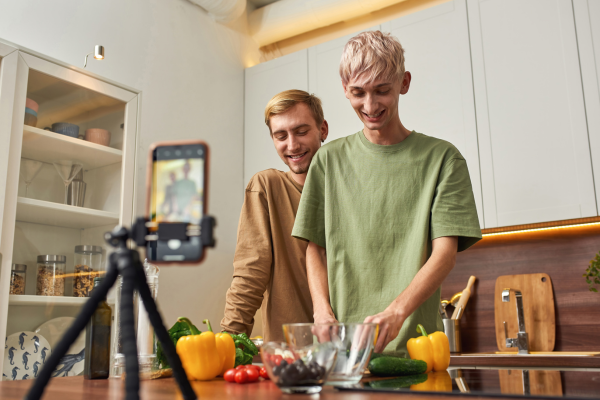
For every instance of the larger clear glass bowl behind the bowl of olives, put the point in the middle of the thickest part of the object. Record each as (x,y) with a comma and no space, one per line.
(354,343)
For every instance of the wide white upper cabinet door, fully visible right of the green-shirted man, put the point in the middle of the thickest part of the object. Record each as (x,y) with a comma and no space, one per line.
(533,141)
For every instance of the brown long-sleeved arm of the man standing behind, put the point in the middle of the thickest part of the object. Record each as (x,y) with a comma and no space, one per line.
(251,265)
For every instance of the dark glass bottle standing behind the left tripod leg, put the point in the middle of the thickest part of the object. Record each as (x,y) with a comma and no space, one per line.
(97,341)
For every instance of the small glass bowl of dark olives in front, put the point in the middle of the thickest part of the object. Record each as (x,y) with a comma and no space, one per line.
(299,370)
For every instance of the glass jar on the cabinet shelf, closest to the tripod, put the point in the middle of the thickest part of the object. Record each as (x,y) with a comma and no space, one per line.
(88,265)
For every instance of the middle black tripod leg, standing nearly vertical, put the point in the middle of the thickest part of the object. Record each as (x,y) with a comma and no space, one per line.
(132,369)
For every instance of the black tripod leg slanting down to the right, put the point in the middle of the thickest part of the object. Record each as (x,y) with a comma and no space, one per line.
(163,336)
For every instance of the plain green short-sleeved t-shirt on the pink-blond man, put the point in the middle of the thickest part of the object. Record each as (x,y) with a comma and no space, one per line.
(376,209)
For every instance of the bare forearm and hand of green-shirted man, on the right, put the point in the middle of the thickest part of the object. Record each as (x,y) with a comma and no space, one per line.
(423,285)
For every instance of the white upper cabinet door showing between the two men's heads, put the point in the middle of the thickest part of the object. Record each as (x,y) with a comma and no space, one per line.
(324,81)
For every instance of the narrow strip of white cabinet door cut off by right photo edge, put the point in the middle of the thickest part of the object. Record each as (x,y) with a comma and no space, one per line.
(587,21)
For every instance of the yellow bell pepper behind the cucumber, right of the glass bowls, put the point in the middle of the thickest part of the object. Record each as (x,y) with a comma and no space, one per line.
(433,349)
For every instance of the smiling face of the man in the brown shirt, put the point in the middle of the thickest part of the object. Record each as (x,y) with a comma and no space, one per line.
(297,137)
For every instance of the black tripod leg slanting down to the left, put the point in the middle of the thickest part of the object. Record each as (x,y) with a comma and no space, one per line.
(98,294)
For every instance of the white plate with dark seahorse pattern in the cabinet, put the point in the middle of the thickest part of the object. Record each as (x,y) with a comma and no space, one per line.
(24,355)
